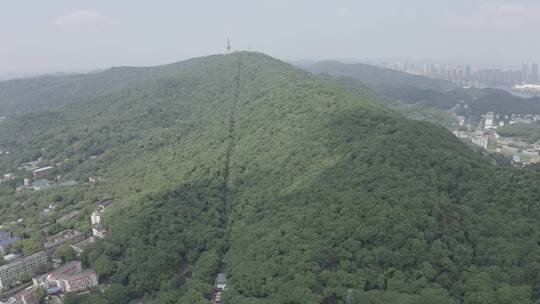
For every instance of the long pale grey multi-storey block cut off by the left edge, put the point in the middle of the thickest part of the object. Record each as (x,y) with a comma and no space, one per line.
(30,265)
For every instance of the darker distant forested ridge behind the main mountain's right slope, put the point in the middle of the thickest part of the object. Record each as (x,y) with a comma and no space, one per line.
(414,89)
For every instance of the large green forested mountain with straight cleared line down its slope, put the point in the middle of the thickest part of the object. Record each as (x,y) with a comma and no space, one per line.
(300,190)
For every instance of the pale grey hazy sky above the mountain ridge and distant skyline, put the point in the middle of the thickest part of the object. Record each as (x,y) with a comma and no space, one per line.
(67,35)
